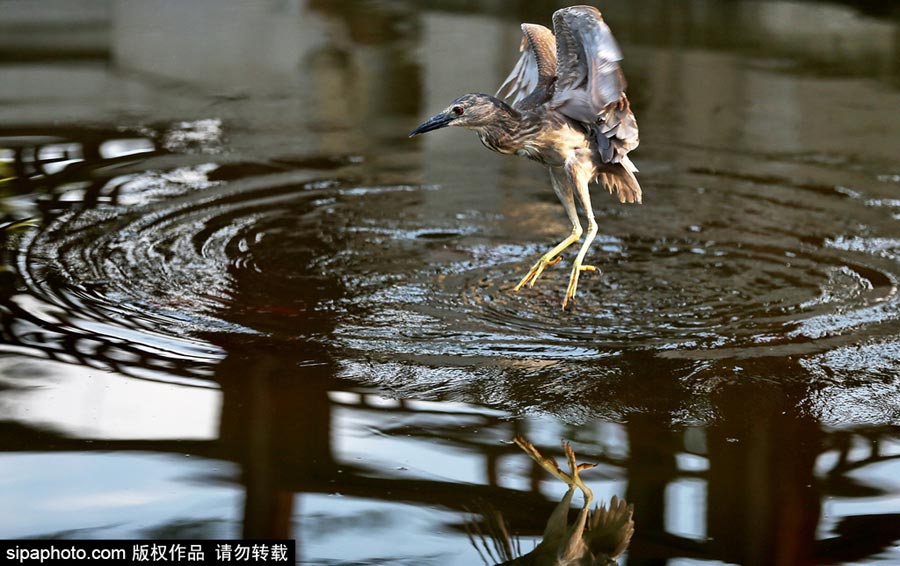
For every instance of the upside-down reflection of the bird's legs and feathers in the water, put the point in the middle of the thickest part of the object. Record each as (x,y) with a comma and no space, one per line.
(595,538)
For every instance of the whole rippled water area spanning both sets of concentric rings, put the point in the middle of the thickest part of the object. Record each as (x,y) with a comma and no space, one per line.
(765,267)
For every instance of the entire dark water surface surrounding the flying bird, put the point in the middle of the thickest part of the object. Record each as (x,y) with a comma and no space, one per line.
(243,303)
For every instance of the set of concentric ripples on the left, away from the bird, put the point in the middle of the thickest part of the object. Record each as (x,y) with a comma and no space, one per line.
(209,260)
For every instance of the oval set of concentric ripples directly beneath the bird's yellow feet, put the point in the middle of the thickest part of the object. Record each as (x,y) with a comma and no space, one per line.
(693,295)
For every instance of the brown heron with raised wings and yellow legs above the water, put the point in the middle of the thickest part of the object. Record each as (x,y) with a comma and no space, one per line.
(569,112)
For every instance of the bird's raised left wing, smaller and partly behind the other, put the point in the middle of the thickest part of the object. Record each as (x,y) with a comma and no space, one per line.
(536,69)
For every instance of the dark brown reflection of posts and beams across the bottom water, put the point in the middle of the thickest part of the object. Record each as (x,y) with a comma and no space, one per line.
(762,505)
